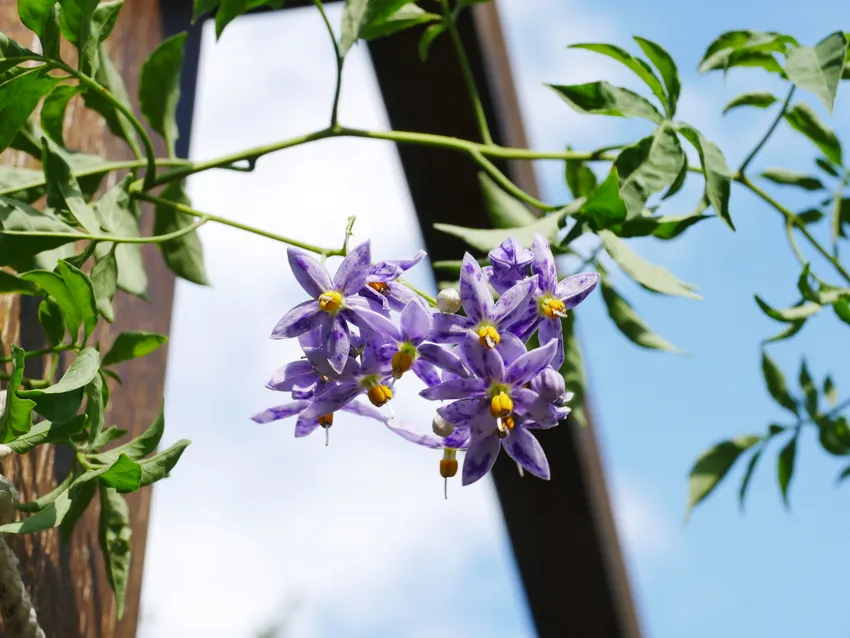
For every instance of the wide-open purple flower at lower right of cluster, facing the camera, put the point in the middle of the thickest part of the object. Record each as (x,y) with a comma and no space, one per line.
(489,406)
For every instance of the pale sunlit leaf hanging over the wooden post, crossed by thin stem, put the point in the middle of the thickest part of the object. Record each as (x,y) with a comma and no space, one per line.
(116,213)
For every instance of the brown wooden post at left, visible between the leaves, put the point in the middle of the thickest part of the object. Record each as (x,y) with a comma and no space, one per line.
(67,582)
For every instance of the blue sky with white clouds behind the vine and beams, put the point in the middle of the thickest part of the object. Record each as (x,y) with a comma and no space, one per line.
(357,534)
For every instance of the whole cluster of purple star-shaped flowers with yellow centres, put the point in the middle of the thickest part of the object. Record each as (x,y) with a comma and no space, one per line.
(494,386)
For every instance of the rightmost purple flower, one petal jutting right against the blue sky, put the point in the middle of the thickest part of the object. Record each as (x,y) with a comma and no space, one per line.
(552,299)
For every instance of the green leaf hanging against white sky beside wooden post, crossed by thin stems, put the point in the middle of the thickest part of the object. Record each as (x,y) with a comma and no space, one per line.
(184,255)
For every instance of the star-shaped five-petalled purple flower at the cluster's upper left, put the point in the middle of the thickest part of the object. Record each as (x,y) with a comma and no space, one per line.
(335,304)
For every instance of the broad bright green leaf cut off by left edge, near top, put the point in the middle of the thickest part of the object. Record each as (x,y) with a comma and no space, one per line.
(20,92)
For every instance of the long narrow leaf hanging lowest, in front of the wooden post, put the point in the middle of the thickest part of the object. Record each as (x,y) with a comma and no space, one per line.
(114,536)
